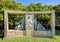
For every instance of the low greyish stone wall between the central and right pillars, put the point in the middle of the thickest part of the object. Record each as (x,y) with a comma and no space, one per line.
(42,33)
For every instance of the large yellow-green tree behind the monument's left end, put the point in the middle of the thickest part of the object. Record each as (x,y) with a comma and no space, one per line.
(9,5)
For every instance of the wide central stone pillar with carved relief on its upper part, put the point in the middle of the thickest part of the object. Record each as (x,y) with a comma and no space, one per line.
(29,22)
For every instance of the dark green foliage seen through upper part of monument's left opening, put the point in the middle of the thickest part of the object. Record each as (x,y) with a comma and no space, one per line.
(15,18)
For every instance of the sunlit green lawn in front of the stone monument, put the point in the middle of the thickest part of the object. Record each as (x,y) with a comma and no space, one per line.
(31,39)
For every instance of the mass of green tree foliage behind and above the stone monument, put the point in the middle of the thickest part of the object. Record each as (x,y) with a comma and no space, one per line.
(12,5)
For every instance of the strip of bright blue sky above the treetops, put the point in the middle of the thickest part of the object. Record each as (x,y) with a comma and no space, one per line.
(44,2)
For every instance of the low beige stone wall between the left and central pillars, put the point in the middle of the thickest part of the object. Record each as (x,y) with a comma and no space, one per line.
(15,33)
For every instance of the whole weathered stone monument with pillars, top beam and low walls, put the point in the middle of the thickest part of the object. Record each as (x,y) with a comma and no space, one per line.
(29,25)
